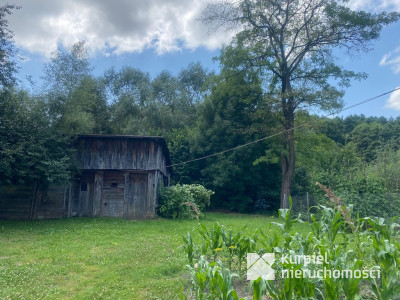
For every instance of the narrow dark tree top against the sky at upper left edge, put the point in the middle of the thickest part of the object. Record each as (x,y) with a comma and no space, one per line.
(8,51)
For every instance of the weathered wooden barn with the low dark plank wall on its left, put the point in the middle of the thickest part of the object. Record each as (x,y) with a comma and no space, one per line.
(118,176)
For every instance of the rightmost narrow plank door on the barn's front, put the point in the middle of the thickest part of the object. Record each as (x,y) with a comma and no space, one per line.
(137,196)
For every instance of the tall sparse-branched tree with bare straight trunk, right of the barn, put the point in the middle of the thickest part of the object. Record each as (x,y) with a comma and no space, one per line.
(291,41)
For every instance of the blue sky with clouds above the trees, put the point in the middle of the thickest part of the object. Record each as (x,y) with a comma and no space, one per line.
(158,35)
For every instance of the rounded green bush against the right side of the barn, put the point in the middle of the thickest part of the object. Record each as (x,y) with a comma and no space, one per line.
(184,201)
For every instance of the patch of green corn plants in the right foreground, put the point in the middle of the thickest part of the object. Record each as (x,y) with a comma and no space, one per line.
(347,246)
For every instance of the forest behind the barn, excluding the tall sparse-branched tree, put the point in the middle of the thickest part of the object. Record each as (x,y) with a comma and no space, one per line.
(199,113)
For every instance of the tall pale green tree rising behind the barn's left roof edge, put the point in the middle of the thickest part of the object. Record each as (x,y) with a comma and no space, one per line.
(76,100)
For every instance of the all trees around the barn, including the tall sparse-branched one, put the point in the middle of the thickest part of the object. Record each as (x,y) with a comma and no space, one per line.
(280,64)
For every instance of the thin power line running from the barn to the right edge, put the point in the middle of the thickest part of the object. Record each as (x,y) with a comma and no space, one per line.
(283,131)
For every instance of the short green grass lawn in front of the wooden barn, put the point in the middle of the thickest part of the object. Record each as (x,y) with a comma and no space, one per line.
(86,258)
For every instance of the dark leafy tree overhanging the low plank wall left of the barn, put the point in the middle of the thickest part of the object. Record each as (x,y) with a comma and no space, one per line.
(30,149)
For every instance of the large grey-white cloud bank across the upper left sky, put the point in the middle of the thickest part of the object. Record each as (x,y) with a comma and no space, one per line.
(112,27)
